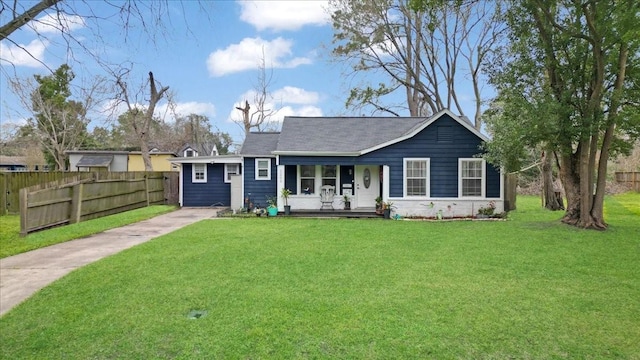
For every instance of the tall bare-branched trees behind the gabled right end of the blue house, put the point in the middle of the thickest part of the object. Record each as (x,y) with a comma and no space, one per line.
(421,49)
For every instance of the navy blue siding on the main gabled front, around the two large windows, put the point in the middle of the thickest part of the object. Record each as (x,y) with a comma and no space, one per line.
(444,154)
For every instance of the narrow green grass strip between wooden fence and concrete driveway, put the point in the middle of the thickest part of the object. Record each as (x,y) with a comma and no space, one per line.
(11,243)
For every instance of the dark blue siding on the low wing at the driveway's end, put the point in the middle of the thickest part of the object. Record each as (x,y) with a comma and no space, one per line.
(214,192)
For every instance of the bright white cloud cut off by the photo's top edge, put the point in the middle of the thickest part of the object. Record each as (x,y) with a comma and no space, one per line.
(284,15)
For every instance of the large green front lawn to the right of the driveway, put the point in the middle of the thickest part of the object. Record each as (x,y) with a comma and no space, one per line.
(527,288)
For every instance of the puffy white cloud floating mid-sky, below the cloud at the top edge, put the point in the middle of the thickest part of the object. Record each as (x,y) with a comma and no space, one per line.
(248,55)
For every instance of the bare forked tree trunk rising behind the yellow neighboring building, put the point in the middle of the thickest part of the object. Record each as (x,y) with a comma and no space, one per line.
(141,117)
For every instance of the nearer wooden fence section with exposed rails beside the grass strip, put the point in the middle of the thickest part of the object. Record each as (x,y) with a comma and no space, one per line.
(86,199)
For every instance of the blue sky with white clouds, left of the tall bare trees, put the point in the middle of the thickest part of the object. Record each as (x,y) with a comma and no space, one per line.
(210,64)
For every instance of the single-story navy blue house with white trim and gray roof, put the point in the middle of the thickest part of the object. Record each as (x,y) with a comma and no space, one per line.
(421,165)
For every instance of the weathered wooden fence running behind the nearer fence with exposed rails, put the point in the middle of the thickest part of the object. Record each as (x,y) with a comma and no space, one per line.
(12,182)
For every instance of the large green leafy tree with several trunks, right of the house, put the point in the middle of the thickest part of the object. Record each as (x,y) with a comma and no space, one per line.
(570,80)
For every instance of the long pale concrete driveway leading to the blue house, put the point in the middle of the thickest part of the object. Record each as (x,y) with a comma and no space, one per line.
(24,274)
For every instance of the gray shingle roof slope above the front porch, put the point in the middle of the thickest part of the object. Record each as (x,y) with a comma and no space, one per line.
(342,134)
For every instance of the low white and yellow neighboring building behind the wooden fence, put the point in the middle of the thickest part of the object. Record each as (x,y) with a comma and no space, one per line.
(106,160)
